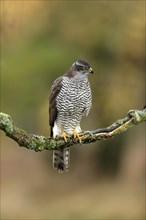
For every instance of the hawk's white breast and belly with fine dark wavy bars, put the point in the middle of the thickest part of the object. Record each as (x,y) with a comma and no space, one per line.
(73,102)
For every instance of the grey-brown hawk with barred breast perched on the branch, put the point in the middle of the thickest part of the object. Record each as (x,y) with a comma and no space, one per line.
(70,99)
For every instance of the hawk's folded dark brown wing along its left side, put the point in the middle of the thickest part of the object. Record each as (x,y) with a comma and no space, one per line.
(55,89)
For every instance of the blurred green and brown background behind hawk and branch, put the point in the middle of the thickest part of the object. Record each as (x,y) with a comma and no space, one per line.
(39,42)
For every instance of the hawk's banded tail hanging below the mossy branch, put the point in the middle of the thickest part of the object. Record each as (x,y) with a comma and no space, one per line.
(61,159)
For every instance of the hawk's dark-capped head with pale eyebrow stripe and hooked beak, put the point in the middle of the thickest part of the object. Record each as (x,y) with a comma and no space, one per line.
(80,69)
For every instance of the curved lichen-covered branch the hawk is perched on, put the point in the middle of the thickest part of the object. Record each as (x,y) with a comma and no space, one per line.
(39,143)
